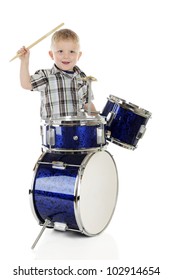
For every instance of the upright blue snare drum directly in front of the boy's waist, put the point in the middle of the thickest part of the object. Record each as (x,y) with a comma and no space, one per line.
(69,133)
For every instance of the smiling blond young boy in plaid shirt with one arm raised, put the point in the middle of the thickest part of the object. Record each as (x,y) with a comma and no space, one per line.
(64,89)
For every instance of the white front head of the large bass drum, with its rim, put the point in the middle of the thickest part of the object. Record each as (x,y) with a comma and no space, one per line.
(97,192)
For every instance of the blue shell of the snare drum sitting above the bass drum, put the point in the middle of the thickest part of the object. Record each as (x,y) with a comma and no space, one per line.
(73,137)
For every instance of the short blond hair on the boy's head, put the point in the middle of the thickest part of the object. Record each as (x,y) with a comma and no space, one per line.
(64,34)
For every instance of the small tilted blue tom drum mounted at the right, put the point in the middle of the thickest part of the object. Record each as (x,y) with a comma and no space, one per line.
(126,122)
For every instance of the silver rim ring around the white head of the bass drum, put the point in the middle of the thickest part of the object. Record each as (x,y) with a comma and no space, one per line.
(77,194)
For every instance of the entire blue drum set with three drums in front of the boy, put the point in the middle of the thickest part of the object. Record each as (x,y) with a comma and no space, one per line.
(75,184)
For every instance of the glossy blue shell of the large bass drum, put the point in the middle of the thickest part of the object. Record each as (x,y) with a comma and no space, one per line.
(53,189)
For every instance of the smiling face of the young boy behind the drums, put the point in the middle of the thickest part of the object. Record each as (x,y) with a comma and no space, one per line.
(65,54)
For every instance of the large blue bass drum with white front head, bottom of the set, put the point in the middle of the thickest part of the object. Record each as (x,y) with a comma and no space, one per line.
(76,191)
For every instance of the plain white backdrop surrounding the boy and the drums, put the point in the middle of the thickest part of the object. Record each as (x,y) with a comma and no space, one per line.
(127,45)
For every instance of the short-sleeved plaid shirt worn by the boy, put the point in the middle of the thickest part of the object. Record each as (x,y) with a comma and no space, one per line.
(62,93)
